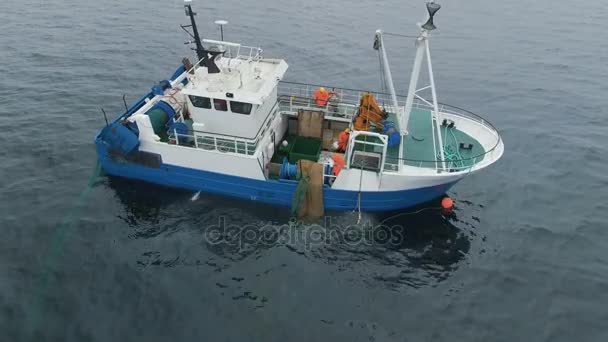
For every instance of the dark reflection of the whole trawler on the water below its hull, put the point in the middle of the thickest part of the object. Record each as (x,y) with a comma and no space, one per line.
(418,247)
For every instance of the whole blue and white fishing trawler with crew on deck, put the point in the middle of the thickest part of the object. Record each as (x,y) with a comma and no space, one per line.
(228,124)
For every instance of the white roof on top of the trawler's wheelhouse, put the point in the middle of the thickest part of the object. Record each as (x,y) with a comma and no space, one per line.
(248,80)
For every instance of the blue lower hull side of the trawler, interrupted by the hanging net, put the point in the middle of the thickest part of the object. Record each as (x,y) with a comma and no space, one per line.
(275,192)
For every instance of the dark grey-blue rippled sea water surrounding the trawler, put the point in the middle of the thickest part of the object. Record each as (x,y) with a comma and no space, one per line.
(92,258)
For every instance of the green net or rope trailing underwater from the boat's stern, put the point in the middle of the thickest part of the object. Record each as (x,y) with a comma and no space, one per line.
(55,248)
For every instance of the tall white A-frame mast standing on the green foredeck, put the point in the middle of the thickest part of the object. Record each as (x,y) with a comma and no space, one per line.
(422,50)
